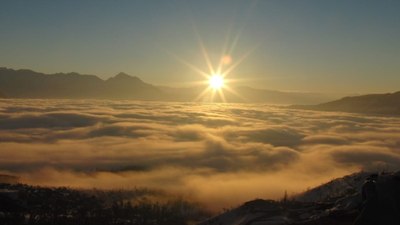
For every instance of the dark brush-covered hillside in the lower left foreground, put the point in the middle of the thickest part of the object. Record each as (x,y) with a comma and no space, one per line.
(23,204)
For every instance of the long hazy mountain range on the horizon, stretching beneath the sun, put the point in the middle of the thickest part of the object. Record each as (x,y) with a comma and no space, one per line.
(31,84)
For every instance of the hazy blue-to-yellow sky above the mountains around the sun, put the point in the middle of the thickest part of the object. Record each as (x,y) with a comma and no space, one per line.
(333,46)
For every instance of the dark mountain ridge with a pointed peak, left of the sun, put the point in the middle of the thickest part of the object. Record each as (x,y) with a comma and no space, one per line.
(30,84)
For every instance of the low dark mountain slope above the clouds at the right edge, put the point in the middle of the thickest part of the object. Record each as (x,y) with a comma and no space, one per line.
(388,104)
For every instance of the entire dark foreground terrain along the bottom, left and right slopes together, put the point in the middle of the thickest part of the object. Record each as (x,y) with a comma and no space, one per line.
(337,202)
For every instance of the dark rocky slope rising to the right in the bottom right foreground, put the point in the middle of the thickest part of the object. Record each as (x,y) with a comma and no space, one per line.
(336,202)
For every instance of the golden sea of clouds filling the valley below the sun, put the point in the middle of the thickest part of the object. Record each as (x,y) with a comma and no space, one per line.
(217,154)
